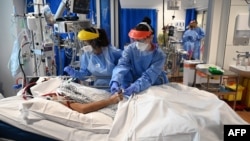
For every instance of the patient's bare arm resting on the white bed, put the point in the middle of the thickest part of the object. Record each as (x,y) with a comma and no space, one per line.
(94,106)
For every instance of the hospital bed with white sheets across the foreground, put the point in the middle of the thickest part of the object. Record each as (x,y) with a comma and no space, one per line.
(166,112)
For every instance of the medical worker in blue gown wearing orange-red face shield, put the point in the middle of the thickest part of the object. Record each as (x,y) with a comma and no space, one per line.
(141,64)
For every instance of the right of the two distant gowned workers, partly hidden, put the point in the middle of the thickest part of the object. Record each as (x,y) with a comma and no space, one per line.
(201,35)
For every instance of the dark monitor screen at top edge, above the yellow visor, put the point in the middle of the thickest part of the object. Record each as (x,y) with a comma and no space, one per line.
(81,6)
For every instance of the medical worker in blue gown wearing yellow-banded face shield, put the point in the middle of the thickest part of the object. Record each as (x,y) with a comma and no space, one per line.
(99,57)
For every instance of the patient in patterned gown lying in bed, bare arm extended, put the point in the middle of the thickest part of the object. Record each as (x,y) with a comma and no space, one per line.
(77,97)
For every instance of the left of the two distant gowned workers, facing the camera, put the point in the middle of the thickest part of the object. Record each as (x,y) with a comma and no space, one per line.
(189,39)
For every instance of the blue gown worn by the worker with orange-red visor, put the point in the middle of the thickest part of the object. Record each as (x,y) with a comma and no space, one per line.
(142,68)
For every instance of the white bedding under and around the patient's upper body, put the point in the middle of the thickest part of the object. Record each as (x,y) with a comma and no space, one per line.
(52,119)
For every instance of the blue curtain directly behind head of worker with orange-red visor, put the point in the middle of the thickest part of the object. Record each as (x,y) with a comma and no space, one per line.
(129,18)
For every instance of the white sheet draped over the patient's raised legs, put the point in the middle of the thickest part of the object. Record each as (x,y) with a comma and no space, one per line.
(173,112)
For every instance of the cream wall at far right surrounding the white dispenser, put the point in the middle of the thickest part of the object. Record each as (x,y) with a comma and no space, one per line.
(219,48)
